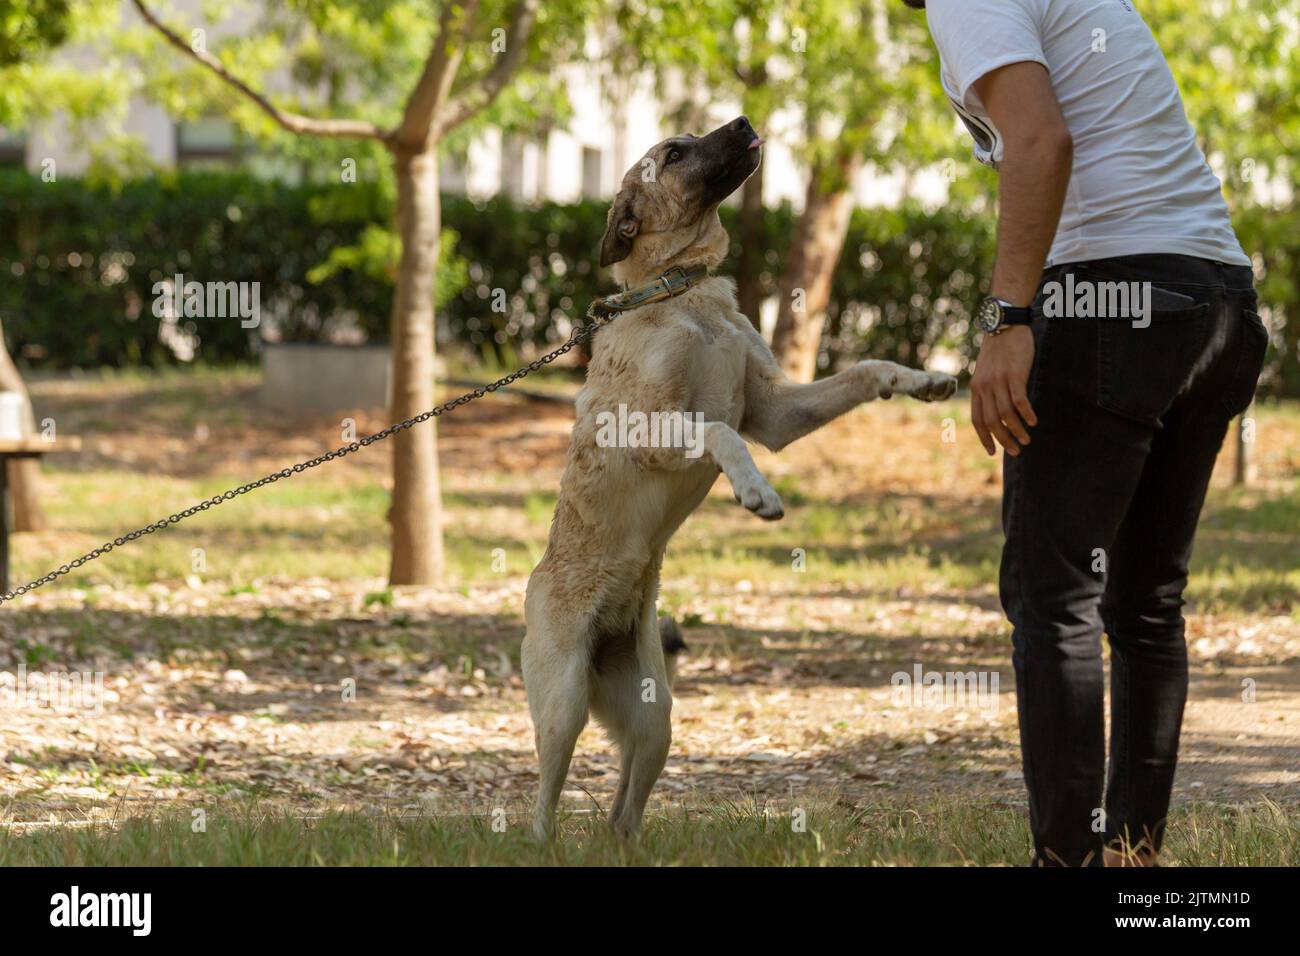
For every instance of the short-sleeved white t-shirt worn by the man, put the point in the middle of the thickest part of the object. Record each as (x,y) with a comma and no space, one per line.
(1139,181)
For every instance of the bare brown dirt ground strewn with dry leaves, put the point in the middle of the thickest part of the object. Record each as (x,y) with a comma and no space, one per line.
(214,697)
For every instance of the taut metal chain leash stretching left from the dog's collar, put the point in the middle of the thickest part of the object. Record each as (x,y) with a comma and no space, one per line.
(579,335)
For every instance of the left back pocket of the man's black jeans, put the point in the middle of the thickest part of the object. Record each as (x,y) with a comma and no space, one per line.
(1142,369)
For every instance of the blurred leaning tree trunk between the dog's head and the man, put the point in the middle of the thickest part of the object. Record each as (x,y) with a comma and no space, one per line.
(807,284)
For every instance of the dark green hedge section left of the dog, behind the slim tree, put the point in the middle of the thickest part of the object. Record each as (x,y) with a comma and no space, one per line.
(84,258)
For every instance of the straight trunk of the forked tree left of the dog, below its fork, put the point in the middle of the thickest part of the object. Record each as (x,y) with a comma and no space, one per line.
(417,514)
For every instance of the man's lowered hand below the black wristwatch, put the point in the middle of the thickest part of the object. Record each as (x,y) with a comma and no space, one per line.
(1000,405)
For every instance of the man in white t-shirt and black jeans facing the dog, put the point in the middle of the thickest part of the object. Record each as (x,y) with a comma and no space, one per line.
(1111,396)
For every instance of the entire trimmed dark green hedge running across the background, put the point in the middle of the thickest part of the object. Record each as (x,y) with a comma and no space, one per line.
(80,261)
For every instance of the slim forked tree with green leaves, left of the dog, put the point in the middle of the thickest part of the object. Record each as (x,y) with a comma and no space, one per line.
(473,54)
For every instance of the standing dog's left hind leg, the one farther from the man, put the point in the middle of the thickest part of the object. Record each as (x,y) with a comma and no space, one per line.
(558,698)
